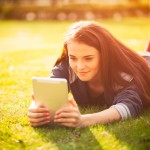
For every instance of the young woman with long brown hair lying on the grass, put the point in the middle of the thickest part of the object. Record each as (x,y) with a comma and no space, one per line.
(100,70)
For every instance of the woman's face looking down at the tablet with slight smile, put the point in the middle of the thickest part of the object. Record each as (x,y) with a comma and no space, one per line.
(84,60)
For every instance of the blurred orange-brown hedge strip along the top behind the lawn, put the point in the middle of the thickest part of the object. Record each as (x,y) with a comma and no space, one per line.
(71,9)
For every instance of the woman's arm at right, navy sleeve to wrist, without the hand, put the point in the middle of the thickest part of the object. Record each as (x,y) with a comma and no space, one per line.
(127,103)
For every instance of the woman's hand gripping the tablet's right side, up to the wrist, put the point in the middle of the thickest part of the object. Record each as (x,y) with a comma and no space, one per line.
(68,116)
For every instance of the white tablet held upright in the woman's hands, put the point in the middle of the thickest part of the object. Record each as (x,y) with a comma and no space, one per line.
(52,92)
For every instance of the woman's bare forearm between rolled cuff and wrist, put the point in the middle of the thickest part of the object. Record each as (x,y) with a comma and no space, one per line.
(103,117)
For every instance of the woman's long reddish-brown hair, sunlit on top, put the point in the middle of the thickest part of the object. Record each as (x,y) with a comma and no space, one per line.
(115,58)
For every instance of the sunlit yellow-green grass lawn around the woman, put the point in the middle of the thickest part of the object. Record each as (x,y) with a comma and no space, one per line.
(30,48)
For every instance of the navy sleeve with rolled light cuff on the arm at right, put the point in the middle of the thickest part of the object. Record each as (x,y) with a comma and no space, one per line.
(128,102)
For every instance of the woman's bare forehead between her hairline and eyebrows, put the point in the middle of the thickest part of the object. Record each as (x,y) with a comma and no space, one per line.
(81,49)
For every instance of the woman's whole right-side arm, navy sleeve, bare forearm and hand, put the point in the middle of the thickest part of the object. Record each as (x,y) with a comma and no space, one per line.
(126,103)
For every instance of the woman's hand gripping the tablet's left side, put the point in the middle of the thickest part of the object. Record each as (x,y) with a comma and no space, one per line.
(38,114)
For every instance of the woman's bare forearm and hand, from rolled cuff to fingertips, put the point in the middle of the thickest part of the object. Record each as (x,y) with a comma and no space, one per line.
(71,117)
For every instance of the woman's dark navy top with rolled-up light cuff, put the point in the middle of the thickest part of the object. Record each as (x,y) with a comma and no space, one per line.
(128,98)
